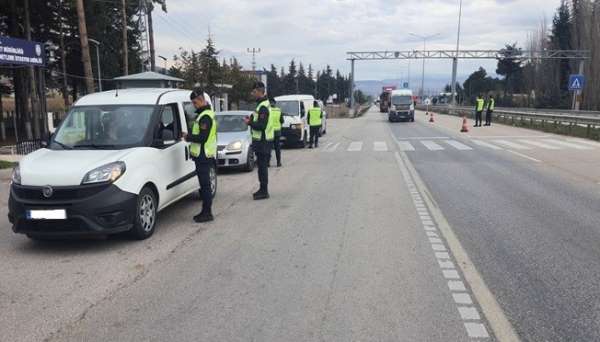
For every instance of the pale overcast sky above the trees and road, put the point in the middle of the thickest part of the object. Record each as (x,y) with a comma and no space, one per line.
(322,31)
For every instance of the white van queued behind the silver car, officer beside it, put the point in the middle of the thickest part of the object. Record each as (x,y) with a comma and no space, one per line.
(295,130)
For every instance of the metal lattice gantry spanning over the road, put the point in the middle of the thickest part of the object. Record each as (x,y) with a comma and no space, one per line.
(353,56)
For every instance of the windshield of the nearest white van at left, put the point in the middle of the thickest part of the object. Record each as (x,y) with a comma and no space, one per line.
(98,127)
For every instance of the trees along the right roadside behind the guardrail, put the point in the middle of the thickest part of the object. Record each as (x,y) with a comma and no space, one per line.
(543,83)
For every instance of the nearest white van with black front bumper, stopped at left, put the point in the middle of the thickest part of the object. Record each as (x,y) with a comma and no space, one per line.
(116,160)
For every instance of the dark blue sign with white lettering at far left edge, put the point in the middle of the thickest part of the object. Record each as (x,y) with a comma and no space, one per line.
(19,51)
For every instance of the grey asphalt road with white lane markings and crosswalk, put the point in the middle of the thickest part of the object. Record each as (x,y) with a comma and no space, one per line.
(387,232)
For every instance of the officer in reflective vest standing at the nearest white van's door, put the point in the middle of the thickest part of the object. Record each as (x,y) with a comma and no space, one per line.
(203,150)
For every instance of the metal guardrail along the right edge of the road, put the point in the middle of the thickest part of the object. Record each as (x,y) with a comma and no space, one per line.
(586,124)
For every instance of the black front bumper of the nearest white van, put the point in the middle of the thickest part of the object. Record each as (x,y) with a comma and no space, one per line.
(90,210)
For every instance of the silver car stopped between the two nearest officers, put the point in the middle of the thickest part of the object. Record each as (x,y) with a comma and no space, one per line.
(234,141)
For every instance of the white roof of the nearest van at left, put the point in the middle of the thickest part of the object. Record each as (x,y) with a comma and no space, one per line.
(131,96)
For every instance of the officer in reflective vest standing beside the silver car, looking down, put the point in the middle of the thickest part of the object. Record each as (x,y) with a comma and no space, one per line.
(263,135)
